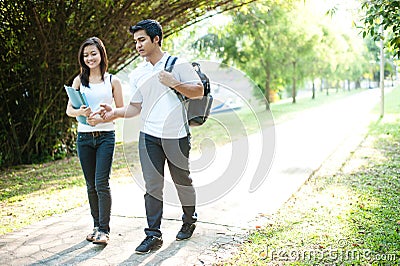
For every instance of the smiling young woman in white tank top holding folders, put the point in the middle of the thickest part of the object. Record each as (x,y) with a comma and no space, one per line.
(96,138)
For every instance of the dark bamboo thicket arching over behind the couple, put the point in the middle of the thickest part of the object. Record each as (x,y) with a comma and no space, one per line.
(40,42)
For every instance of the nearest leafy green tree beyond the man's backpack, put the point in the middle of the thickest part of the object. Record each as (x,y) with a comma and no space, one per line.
(253,41)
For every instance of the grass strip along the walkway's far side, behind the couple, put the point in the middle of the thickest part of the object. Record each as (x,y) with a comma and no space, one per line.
(30,193)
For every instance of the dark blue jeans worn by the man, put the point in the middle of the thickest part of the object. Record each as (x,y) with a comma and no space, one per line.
(154,152)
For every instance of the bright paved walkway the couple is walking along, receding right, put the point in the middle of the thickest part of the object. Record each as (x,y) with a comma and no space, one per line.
(321,137)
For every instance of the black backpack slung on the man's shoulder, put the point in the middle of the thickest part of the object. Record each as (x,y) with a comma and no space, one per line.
(197,109)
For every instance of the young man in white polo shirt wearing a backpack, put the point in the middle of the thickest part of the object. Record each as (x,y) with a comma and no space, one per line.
(163,137)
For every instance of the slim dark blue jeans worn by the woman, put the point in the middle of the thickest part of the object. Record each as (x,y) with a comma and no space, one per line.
(96,152)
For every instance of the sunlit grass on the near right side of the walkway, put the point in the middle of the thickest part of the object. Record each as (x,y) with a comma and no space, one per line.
(351,217)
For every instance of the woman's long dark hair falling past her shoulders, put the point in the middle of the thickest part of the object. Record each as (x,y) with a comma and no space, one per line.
(85,71)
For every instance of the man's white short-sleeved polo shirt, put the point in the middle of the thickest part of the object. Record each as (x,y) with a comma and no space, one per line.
(161,114)
